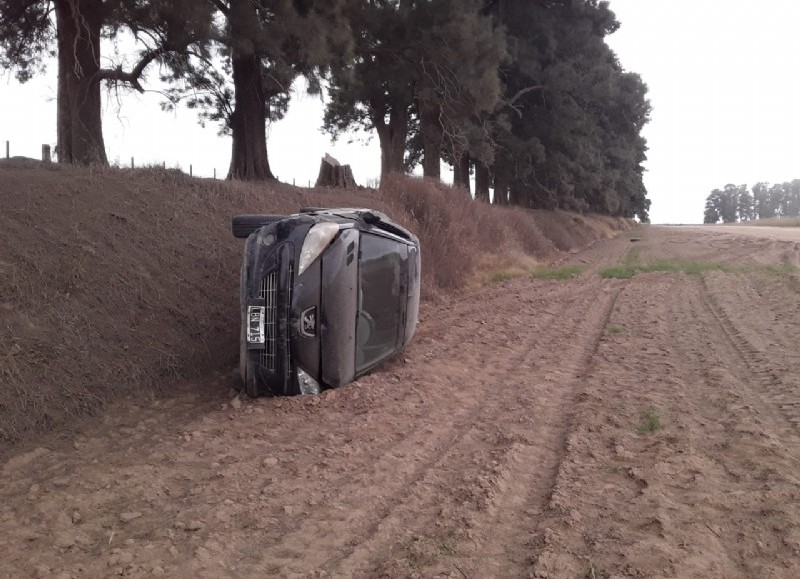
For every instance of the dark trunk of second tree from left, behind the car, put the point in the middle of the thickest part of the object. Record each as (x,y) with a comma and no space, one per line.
(249,158)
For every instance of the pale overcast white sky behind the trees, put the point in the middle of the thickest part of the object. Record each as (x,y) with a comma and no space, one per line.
(723,80)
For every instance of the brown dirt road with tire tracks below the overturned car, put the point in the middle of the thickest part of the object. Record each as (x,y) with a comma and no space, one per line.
(592,427)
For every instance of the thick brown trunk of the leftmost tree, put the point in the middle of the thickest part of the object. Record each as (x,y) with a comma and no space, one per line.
(79,121)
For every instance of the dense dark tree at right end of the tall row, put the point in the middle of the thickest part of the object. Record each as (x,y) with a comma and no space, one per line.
(568,132)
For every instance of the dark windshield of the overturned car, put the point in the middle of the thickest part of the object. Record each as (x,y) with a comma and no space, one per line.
(380,305)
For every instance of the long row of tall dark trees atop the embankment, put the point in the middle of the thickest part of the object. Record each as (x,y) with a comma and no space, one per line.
(524,94)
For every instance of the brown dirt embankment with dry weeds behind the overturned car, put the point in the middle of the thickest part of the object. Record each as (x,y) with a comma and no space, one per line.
(121,282)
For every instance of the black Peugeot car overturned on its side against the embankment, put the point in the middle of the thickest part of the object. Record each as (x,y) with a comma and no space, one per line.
(326,295)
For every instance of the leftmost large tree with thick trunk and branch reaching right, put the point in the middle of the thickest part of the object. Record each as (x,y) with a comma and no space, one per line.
(29,29)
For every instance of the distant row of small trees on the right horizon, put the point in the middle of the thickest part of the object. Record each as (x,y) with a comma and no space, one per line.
(737,203)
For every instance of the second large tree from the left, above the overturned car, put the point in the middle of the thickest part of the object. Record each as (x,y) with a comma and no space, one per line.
(262,46)
